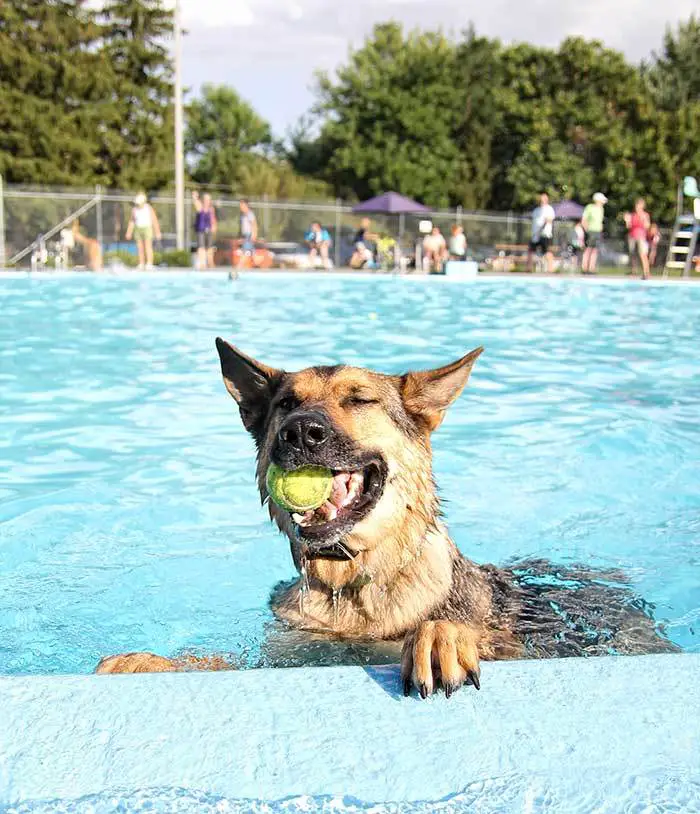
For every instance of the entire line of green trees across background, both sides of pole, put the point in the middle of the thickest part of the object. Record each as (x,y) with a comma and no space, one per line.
(86,97)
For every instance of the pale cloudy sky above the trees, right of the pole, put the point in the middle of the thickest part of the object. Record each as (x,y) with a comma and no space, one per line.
(268,50)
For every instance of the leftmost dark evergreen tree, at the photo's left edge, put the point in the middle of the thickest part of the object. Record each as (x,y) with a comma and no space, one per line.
(52,80)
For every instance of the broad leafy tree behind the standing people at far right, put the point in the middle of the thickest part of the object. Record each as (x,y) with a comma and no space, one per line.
(572,120)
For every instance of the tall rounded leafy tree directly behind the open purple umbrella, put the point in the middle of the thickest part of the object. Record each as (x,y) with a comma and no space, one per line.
(390,118)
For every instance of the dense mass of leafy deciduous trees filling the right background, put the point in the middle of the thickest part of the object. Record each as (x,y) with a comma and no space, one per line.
(472,122)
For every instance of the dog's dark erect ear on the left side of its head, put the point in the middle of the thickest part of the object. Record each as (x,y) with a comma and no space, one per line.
(249,382)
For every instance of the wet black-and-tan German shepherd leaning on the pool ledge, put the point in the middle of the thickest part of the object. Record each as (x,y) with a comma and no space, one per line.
(376,562)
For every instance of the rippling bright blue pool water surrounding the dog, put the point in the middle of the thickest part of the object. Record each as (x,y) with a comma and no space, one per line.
(129,517)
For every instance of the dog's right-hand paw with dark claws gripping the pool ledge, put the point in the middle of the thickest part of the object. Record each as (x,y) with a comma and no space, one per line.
(440,652)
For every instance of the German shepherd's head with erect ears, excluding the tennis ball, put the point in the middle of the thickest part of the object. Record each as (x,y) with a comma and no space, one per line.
(371,430)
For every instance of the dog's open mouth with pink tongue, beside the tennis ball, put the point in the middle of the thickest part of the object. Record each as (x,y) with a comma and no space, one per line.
(354,494)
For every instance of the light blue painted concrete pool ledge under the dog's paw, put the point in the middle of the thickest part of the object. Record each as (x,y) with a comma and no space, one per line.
(560,728)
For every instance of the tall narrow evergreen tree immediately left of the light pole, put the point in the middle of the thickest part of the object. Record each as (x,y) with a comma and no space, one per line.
(136,128)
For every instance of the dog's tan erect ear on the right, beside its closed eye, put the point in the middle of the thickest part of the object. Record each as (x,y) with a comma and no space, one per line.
(428,393)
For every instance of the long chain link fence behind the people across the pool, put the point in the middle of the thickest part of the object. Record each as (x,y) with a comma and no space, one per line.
(30,215)
